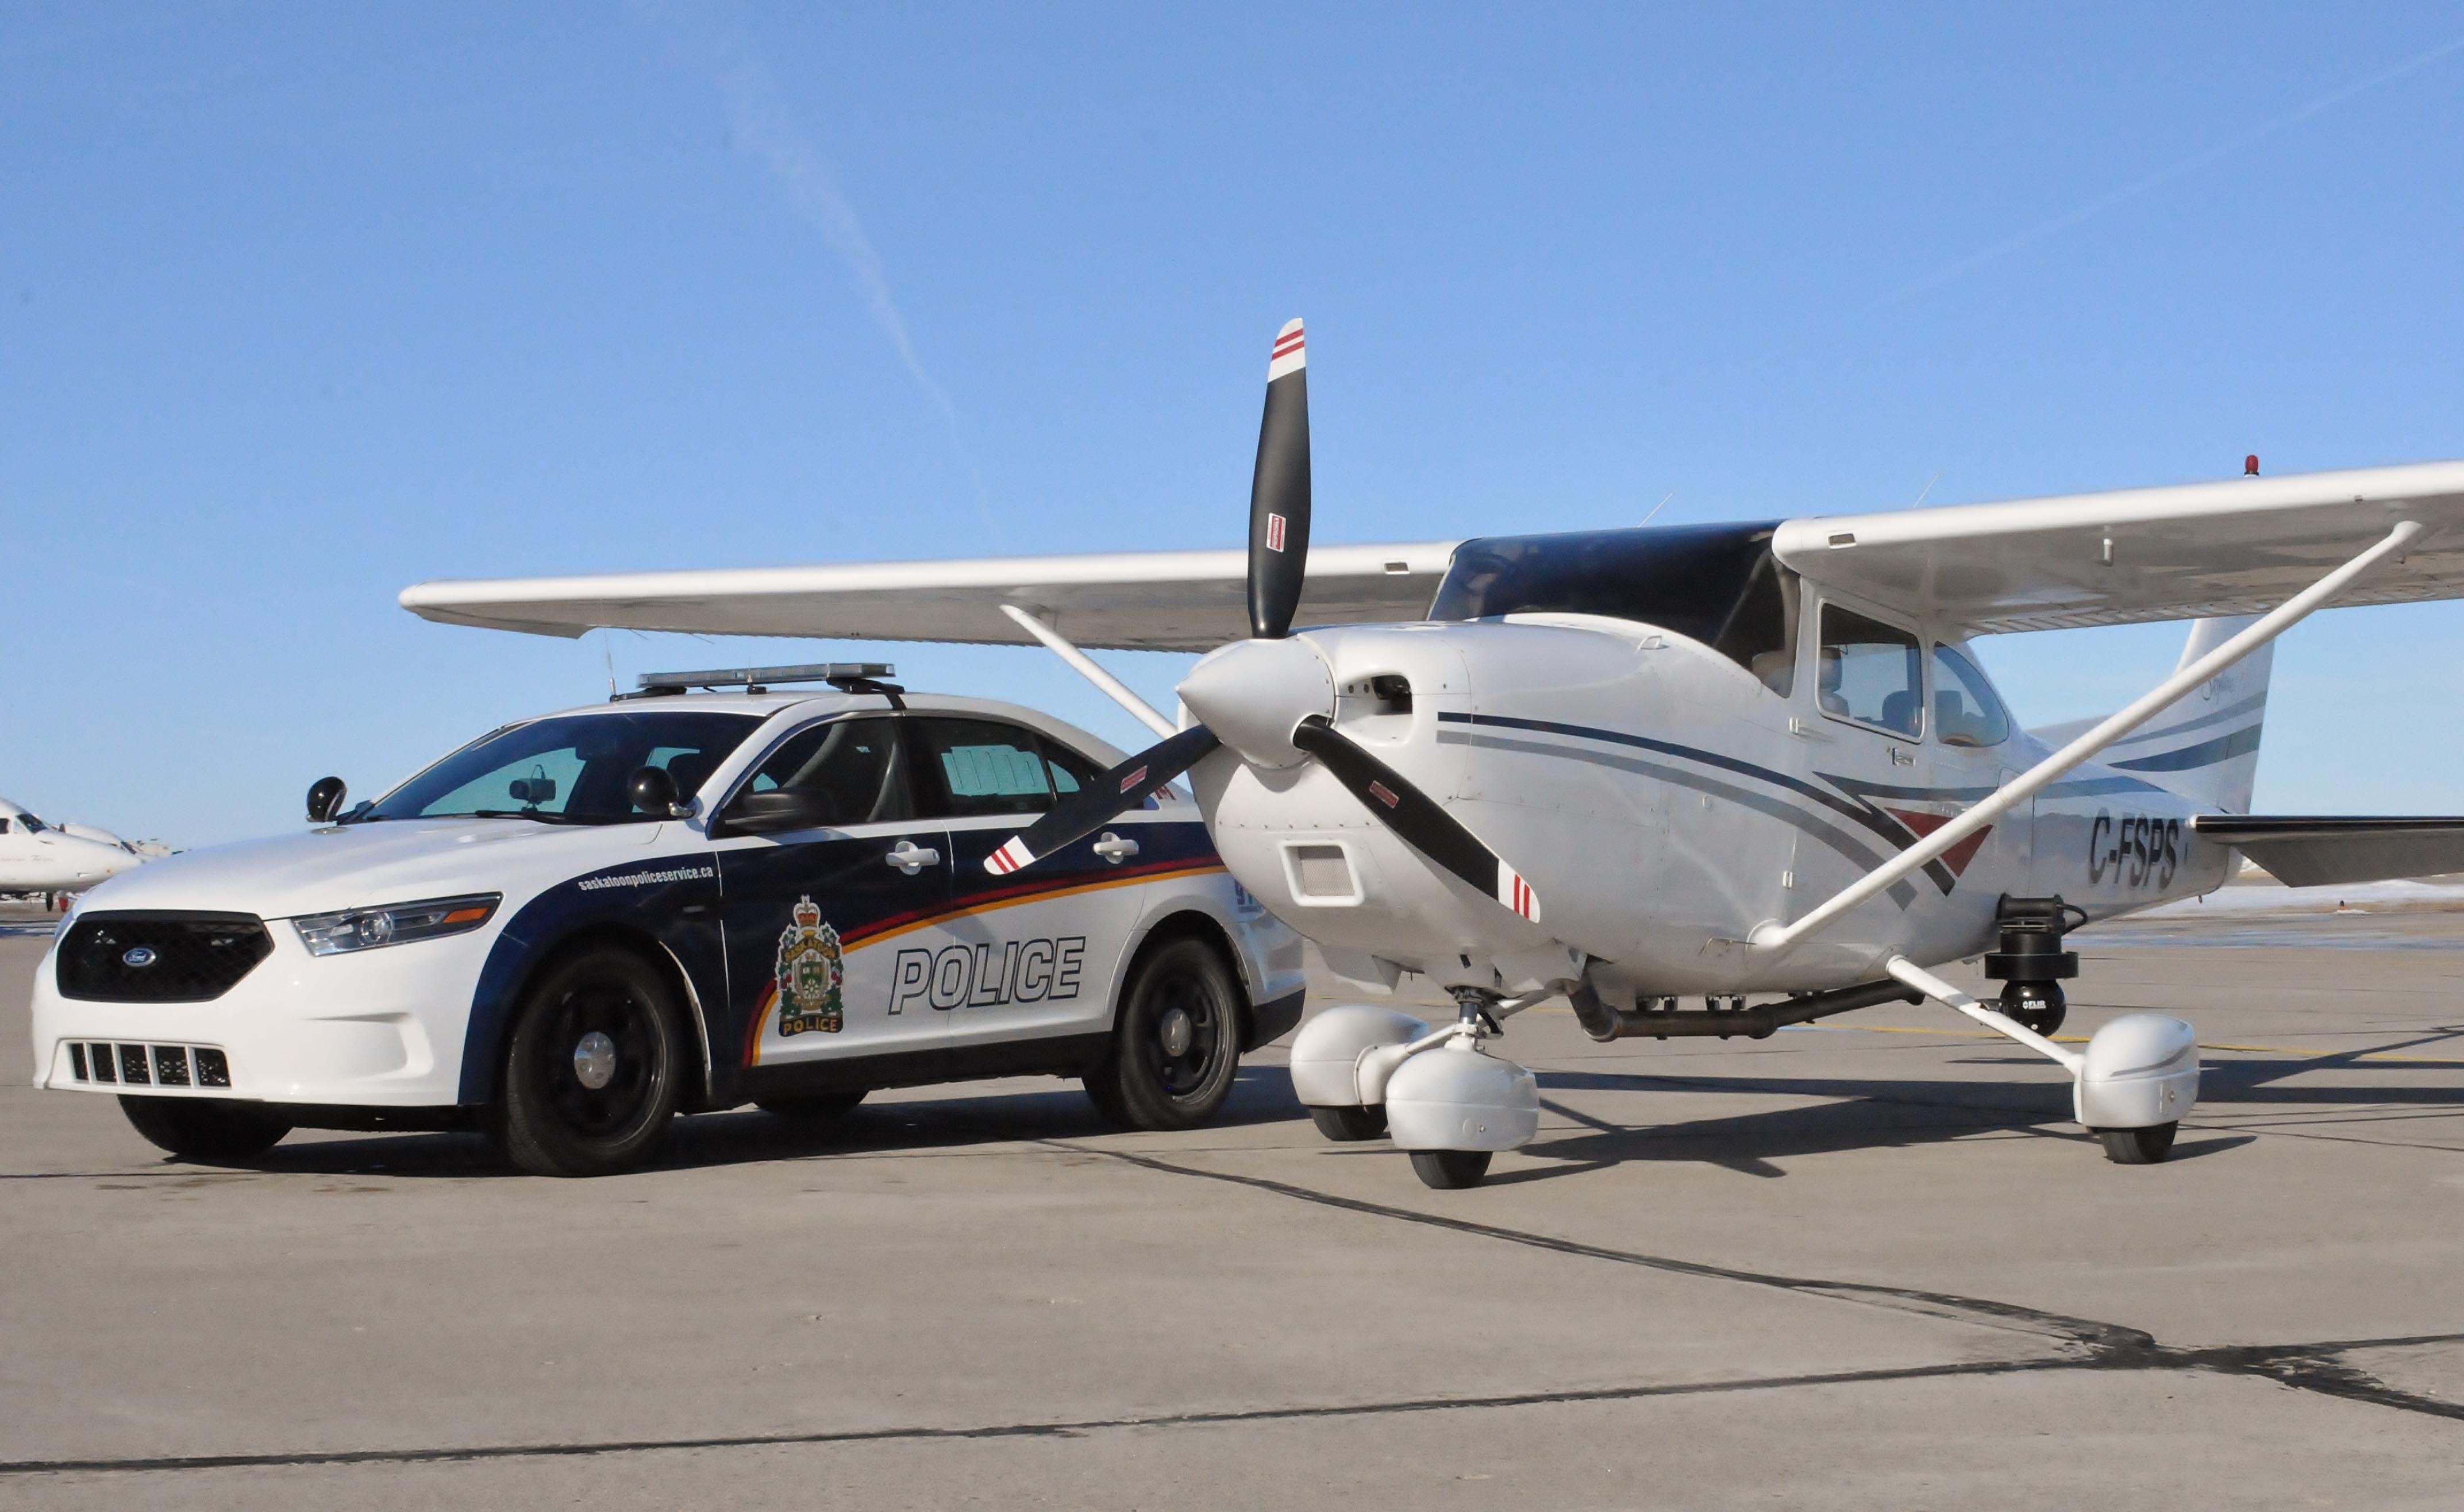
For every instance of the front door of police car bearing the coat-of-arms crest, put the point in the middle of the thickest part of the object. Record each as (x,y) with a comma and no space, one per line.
(824,861)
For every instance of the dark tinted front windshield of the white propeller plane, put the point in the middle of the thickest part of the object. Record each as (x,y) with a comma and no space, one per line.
(1711,582)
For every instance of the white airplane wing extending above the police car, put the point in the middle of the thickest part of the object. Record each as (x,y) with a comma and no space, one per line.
(1103,602)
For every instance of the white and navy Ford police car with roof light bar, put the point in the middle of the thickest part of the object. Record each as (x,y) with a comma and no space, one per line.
(583,925)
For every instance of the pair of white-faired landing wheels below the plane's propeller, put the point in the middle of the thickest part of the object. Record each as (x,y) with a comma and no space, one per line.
(1371,1070)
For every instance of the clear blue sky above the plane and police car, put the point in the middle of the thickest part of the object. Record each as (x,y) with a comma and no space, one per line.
(307,304)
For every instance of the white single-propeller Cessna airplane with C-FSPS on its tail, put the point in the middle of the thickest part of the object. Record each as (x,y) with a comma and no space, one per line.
(1632,767)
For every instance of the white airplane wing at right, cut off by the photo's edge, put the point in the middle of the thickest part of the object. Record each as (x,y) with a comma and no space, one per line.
(2142,555)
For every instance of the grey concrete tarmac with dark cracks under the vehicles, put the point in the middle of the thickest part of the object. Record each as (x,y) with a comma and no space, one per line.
(1866,1265)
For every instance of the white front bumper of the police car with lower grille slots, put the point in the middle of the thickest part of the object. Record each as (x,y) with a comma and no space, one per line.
(366,1031)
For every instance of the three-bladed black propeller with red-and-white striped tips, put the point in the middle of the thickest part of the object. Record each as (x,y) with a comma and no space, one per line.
(1278,573)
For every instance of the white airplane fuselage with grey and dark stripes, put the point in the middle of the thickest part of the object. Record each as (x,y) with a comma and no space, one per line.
(1667,802)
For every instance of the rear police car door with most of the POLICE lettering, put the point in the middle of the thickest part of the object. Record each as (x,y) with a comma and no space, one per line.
(1034,952)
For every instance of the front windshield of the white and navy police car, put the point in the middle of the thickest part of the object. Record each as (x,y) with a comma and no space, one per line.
(573,770)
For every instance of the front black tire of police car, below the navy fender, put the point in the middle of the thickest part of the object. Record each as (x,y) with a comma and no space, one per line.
(593,1068)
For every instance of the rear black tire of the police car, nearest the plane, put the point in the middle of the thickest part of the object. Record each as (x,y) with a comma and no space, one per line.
(1174,1045)
